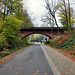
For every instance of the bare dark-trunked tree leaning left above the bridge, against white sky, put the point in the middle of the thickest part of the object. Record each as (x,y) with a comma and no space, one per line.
(52,10)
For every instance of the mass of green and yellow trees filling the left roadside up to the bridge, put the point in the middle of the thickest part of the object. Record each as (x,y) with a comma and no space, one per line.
(13,17)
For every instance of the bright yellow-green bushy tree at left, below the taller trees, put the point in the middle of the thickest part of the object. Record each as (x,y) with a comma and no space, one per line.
(10,32)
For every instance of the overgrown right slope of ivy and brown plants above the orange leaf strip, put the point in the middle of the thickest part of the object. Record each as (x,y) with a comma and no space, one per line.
(67,42)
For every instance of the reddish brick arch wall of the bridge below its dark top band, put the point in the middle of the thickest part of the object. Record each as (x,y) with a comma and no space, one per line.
(47,33)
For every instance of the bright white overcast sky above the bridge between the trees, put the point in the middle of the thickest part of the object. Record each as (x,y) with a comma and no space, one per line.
(36,10)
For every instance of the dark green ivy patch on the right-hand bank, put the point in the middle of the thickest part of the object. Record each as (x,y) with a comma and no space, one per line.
(68,43)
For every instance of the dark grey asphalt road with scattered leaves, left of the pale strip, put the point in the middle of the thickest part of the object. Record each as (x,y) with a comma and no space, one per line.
(31,61)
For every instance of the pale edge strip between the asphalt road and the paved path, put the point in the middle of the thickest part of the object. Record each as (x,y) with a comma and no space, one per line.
(53,67)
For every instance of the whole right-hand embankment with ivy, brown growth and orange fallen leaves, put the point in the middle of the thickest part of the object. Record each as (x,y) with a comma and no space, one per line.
(65,44)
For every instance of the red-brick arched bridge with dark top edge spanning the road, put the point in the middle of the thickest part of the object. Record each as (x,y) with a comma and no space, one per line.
(25,31)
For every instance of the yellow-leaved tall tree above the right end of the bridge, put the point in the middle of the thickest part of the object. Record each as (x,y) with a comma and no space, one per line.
(64,14)
